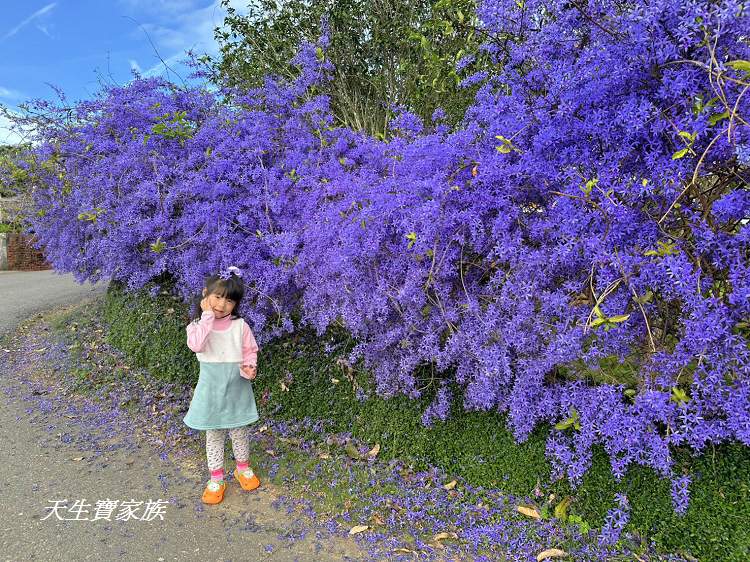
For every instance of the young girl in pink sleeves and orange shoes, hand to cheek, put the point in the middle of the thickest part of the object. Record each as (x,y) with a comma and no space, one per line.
(223,399)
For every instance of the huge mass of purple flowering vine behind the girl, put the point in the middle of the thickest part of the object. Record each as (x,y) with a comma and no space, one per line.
(589,211)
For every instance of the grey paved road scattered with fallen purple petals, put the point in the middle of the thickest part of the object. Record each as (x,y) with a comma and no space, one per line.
(56,447)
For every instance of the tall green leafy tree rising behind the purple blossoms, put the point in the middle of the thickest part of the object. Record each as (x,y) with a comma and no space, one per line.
(385,52)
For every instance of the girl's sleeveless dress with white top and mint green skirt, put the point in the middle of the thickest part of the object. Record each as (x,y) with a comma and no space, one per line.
(222,399)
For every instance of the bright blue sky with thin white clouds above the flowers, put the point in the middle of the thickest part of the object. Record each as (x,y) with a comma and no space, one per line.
(77,45)
